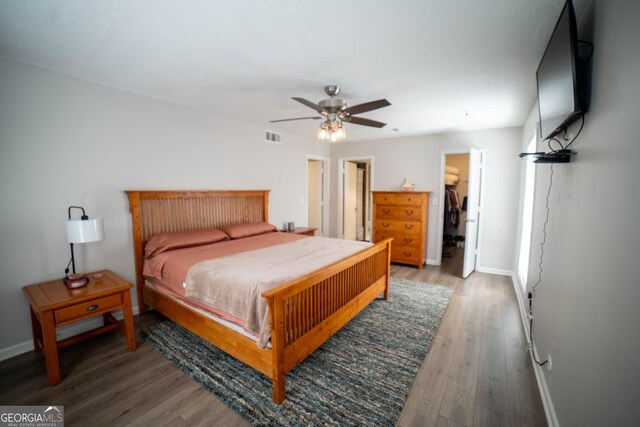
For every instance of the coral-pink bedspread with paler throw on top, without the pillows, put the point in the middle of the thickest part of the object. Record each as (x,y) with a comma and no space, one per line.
(228,278)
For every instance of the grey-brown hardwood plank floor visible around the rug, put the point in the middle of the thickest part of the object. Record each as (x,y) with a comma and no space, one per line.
(477,373)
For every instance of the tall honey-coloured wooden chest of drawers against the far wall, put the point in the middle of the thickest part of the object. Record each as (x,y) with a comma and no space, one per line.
(402,216)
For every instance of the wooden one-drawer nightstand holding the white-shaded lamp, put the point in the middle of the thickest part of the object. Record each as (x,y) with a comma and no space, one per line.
(53,305)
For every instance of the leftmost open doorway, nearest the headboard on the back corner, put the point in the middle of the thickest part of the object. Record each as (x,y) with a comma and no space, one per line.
(318,194)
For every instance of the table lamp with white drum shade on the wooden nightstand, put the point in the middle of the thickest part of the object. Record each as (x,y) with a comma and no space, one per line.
(83,230)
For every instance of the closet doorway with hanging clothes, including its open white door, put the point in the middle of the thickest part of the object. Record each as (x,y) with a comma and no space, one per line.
(461,201)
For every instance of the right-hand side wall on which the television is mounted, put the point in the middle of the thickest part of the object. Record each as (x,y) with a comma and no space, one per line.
(586,308)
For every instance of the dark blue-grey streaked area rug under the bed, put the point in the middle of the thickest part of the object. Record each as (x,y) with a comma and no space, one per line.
(360,376)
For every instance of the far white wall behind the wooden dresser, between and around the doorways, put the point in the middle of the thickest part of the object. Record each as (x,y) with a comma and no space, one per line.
(418,158)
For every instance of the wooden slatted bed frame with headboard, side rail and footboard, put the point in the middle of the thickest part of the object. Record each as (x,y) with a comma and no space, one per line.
(304,313)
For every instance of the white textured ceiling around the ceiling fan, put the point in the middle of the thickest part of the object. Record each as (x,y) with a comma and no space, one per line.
(443,64)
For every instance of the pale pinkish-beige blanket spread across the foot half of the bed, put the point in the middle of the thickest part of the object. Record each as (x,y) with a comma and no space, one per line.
(234,284)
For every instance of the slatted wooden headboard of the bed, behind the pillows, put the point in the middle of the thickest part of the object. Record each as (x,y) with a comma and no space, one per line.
(154,212)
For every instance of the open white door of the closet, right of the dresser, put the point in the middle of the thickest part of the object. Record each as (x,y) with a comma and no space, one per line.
(473,212)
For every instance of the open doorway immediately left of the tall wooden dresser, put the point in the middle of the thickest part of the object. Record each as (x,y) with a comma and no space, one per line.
(355,198)
